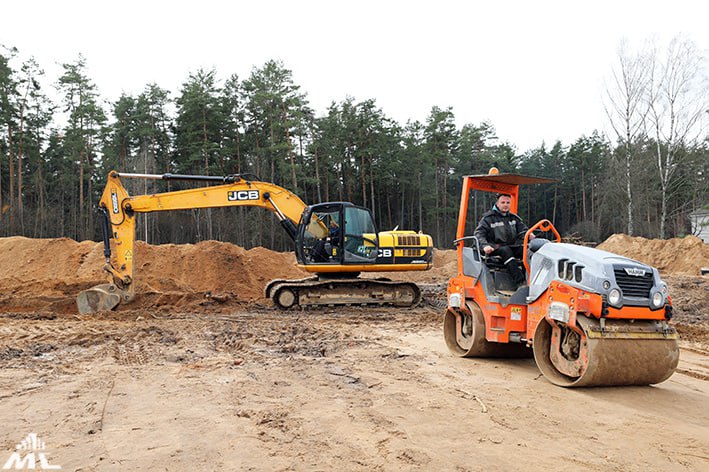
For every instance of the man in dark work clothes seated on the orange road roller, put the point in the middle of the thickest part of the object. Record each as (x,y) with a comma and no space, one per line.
(501,233)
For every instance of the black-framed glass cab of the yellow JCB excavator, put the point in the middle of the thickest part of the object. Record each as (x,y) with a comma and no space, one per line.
(336,233)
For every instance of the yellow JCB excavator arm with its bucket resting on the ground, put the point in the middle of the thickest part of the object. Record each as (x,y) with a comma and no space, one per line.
(119,209)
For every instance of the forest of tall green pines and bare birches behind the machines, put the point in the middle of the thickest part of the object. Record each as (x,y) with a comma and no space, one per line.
(55,153)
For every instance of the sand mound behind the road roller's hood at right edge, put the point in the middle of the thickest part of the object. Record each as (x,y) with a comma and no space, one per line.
(670,256)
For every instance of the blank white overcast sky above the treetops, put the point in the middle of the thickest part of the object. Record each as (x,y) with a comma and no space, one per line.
(535,69)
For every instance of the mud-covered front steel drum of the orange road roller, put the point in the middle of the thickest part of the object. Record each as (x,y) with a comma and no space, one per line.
(617,352)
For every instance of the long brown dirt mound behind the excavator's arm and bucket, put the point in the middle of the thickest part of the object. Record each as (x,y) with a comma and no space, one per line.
(47,274)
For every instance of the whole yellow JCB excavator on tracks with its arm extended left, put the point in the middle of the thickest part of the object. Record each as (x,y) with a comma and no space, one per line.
(336,241)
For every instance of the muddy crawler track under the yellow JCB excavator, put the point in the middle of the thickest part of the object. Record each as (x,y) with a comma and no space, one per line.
(358,291)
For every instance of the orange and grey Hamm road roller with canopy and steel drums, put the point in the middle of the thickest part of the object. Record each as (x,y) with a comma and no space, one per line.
(588,316)
